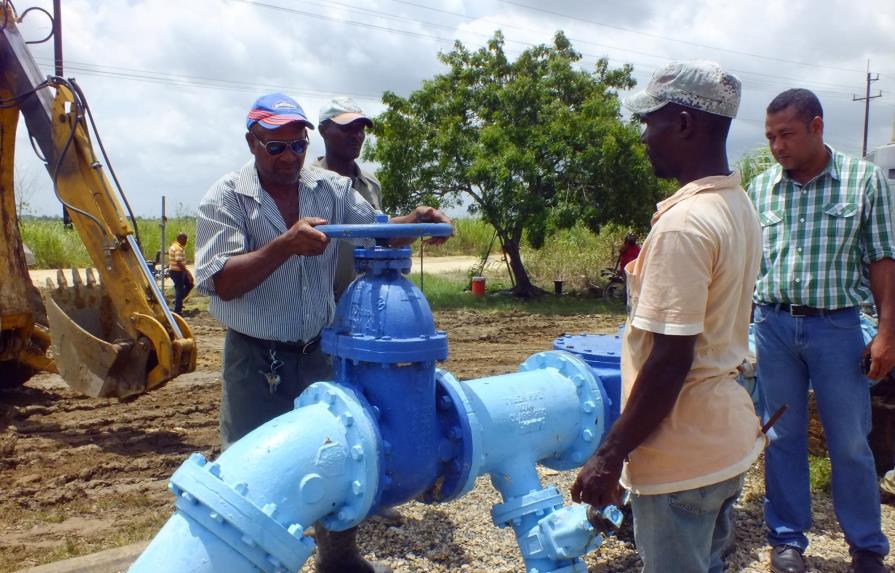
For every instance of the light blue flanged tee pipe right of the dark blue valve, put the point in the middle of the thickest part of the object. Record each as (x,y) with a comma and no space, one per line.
(551,412)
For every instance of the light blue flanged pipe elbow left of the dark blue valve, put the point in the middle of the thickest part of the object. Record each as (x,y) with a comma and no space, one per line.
(248,510)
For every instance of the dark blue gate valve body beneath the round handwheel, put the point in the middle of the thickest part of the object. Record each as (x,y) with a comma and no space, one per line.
(384,344)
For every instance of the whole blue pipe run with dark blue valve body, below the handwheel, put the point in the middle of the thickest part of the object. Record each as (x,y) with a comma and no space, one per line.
(391,428)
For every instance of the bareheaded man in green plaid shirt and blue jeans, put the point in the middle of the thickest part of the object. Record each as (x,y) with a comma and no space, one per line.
(829,244)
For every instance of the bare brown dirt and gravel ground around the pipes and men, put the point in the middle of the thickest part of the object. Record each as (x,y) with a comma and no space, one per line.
(81,474)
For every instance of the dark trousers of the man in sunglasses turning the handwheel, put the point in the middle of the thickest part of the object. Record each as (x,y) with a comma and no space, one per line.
(247,399)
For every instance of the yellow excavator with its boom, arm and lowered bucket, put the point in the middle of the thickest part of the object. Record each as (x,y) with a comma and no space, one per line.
(111,337)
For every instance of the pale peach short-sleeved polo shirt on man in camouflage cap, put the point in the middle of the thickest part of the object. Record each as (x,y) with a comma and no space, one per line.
(695,276)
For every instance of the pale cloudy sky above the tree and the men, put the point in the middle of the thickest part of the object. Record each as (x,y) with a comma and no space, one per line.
(169,82)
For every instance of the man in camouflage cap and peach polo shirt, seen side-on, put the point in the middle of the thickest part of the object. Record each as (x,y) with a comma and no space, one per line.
(688,432)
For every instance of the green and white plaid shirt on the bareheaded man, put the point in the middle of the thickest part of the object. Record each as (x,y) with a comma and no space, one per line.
(819,237)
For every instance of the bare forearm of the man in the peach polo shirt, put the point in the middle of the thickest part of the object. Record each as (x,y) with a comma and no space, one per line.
(653,396)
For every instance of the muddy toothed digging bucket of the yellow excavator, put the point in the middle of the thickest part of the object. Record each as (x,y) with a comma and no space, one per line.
(93,353)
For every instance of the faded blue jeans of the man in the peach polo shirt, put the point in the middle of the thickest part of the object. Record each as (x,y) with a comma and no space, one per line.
(692,529)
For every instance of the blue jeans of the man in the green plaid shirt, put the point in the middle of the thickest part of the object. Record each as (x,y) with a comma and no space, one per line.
(825,350)
